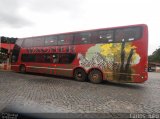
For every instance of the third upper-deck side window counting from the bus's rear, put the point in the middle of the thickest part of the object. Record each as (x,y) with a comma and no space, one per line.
(82,38)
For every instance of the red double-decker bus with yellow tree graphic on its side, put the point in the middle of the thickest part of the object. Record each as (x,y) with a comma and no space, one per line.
(117,54)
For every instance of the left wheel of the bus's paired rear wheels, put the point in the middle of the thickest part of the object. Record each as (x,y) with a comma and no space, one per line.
(80,75)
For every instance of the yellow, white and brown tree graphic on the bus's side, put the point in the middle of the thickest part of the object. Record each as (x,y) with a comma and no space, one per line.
(116,58)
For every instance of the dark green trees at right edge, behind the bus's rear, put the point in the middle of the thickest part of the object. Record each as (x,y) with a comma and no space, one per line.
(155,57)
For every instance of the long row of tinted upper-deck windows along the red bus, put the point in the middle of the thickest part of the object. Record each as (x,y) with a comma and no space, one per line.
(115,35)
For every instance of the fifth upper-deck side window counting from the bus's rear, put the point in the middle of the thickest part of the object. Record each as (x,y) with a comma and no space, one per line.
(50,40)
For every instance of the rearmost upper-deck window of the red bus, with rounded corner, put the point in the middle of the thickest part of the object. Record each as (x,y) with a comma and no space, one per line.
(128,34)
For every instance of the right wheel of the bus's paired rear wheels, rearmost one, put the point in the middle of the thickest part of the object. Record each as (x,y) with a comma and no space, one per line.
(95,76)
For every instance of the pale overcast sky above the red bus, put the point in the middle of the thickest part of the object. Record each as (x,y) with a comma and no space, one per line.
(23,18)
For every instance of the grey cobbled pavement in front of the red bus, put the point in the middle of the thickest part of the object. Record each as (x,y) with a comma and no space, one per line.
(57,94)
